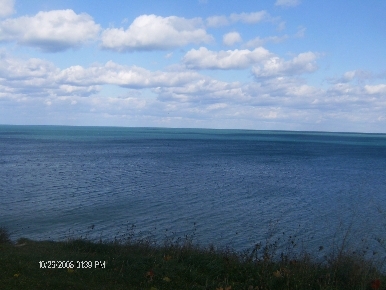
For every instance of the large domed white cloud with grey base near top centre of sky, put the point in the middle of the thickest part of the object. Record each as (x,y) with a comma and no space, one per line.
(151,32)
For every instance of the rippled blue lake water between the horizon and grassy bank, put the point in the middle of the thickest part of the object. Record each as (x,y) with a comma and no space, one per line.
(239,187)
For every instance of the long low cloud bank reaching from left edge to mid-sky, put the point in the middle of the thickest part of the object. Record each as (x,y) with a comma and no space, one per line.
(20,74)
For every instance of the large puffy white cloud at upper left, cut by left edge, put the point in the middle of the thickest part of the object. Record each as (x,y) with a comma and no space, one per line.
(50,31)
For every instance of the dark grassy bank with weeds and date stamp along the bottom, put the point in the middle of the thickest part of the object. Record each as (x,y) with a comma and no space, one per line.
(178,263)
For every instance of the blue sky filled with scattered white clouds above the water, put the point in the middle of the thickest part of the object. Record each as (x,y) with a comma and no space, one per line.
(302,65)
